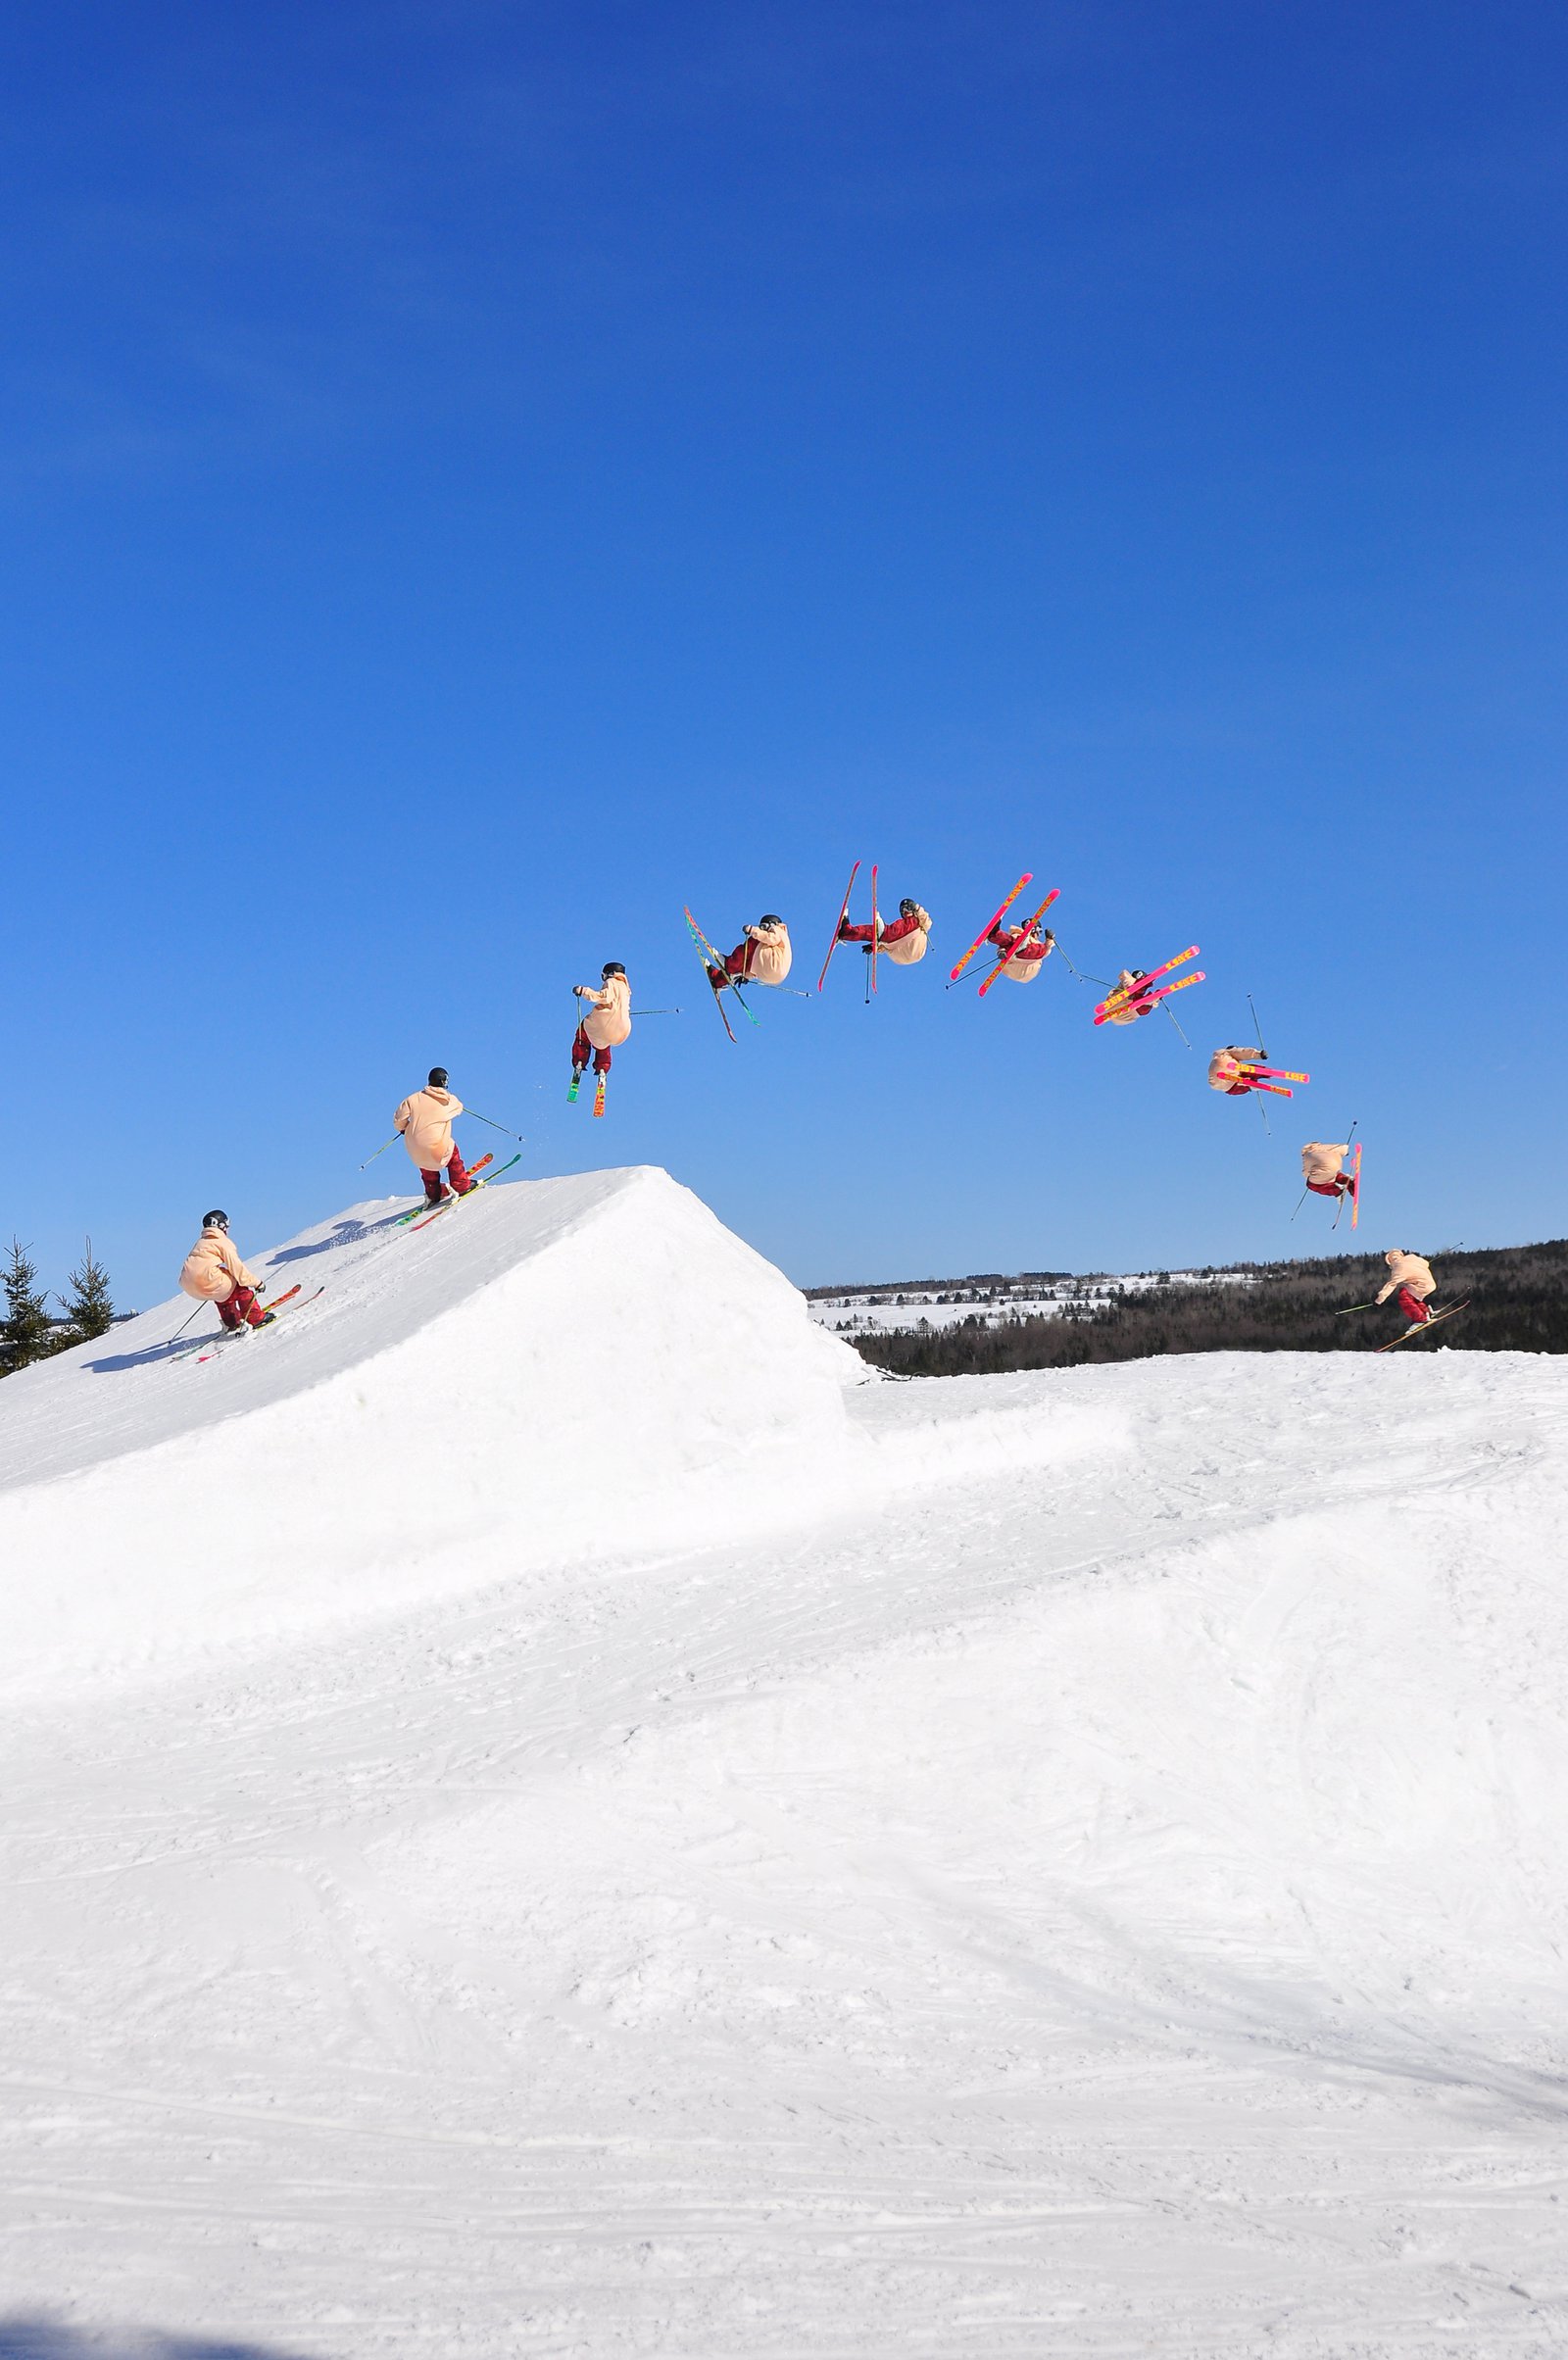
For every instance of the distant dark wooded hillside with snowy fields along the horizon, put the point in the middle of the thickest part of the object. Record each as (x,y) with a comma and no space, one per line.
(1520,1304)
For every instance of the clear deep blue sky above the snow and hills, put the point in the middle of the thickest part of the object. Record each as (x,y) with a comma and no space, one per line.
(478,478)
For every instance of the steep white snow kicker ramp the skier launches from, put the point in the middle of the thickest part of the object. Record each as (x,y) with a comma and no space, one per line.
(563,1370)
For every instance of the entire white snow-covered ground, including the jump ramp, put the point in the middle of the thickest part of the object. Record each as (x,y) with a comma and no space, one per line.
(554,1814)
